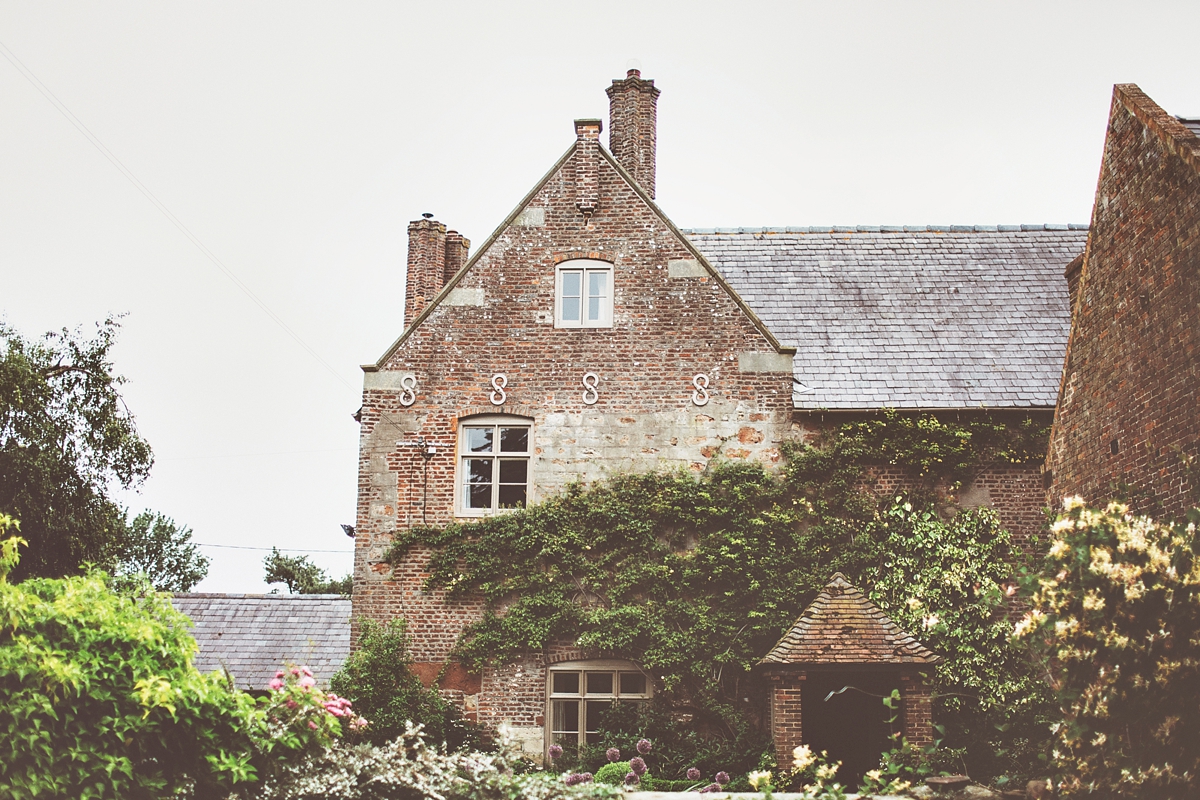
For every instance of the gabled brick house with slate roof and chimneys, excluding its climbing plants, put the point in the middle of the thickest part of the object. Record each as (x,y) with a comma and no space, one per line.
(590,335)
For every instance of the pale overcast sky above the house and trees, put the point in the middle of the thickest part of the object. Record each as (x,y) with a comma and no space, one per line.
(296,141)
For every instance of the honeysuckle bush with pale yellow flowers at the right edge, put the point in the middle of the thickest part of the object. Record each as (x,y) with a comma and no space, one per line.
(1117,617)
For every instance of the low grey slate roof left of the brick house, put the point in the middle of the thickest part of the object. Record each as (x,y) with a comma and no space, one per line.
(253,636)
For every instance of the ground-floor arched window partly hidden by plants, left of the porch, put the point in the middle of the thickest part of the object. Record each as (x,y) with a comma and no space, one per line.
(579,693)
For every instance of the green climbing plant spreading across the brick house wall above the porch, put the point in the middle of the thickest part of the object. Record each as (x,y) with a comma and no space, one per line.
(695,579)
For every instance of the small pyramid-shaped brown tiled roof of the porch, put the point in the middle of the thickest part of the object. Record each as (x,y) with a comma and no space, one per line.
(844,628)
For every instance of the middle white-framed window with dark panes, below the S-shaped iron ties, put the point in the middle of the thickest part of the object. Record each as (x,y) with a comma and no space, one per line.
(494,465)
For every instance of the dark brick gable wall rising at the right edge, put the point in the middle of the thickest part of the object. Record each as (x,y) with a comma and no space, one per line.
(1127,408)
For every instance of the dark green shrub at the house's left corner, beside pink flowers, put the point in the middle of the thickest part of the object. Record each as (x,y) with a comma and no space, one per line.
(377,678)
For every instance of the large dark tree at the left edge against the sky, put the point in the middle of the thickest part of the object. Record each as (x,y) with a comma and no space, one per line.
(65,437)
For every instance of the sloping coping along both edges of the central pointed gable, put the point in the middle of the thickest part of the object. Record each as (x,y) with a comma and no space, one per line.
(521,207)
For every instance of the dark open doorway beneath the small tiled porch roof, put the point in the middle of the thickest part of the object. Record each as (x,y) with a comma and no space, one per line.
(851,725)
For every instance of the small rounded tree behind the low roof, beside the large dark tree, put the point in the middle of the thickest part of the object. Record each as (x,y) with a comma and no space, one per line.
(154,546)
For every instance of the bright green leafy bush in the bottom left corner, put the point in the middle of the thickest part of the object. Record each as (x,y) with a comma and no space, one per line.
(103,701)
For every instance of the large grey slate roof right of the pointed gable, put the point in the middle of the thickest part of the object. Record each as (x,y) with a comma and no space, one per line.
(909,317)
